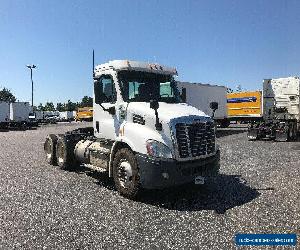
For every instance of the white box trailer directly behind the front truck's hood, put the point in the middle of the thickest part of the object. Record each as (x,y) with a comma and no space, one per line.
(200,96)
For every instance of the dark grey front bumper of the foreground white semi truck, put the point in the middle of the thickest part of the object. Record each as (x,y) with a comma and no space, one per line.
(158,174)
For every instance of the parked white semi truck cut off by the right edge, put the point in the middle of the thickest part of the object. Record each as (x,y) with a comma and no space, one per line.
(281,111)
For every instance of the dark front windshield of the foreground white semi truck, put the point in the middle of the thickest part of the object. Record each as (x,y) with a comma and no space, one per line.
(144,86)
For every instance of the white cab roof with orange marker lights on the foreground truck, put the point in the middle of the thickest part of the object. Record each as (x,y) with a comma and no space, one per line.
(119,65)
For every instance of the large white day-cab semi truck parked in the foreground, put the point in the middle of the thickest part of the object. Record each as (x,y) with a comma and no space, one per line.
(142,137)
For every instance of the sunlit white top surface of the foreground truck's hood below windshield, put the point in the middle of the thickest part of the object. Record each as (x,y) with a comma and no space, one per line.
(166,111)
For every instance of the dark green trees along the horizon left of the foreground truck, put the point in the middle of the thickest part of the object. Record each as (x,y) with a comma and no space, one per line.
(7,96)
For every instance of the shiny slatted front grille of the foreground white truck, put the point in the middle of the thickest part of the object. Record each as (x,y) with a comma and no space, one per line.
(195,139)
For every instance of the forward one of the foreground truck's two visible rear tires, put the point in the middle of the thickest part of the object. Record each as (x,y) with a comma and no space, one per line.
(65,154)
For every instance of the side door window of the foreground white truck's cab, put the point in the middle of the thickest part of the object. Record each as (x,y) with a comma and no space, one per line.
(105,90)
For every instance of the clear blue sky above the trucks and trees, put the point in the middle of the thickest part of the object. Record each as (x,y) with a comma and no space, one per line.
(220,42)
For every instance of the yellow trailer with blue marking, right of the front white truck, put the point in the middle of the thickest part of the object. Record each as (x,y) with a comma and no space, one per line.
(244,106)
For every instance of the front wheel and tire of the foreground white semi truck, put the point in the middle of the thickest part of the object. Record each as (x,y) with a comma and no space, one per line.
(126,173)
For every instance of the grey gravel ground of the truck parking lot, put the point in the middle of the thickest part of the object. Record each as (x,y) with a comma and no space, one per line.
(41,206)
